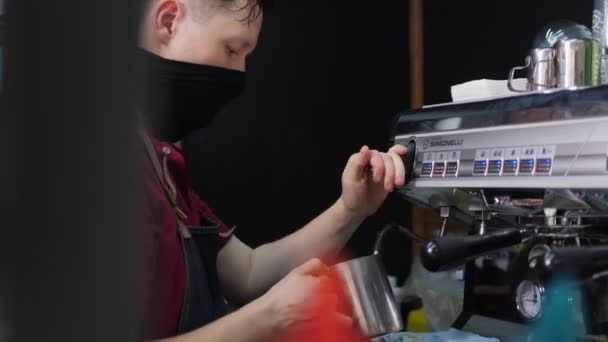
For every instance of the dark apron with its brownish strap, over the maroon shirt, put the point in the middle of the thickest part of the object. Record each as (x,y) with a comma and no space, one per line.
(203,298)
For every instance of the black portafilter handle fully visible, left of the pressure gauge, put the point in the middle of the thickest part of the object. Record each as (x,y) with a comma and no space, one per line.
(453,251)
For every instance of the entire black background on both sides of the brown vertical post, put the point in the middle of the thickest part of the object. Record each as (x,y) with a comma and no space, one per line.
(326,80)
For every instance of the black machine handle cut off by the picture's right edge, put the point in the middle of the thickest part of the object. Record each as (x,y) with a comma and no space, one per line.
(582,261)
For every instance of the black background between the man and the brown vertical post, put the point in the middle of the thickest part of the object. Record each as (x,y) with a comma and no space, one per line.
(322,82)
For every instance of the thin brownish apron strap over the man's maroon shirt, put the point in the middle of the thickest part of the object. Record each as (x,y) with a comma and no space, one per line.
(162,172)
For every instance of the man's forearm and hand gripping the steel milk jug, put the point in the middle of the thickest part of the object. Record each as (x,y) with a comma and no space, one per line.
(301,307)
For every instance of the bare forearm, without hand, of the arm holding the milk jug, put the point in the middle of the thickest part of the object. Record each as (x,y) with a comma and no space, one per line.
(254,322)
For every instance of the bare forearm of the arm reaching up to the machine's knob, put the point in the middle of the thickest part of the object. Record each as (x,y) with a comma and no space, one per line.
(323,237)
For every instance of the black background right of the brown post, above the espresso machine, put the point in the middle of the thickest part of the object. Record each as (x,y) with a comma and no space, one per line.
(467,40)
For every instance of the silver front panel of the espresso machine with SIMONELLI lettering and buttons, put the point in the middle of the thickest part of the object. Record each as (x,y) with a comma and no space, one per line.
(562,154)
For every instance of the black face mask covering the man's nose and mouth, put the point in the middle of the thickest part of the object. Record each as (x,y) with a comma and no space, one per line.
(177,98)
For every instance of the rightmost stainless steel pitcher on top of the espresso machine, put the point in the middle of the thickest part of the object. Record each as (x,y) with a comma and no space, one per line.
(578,63)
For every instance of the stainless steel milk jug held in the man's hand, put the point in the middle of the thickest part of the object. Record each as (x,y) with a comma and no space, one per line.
(374,308)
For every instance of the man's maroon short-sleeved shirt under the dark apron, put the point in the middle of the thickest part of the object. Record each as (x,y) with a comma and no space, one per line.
(165,271)
